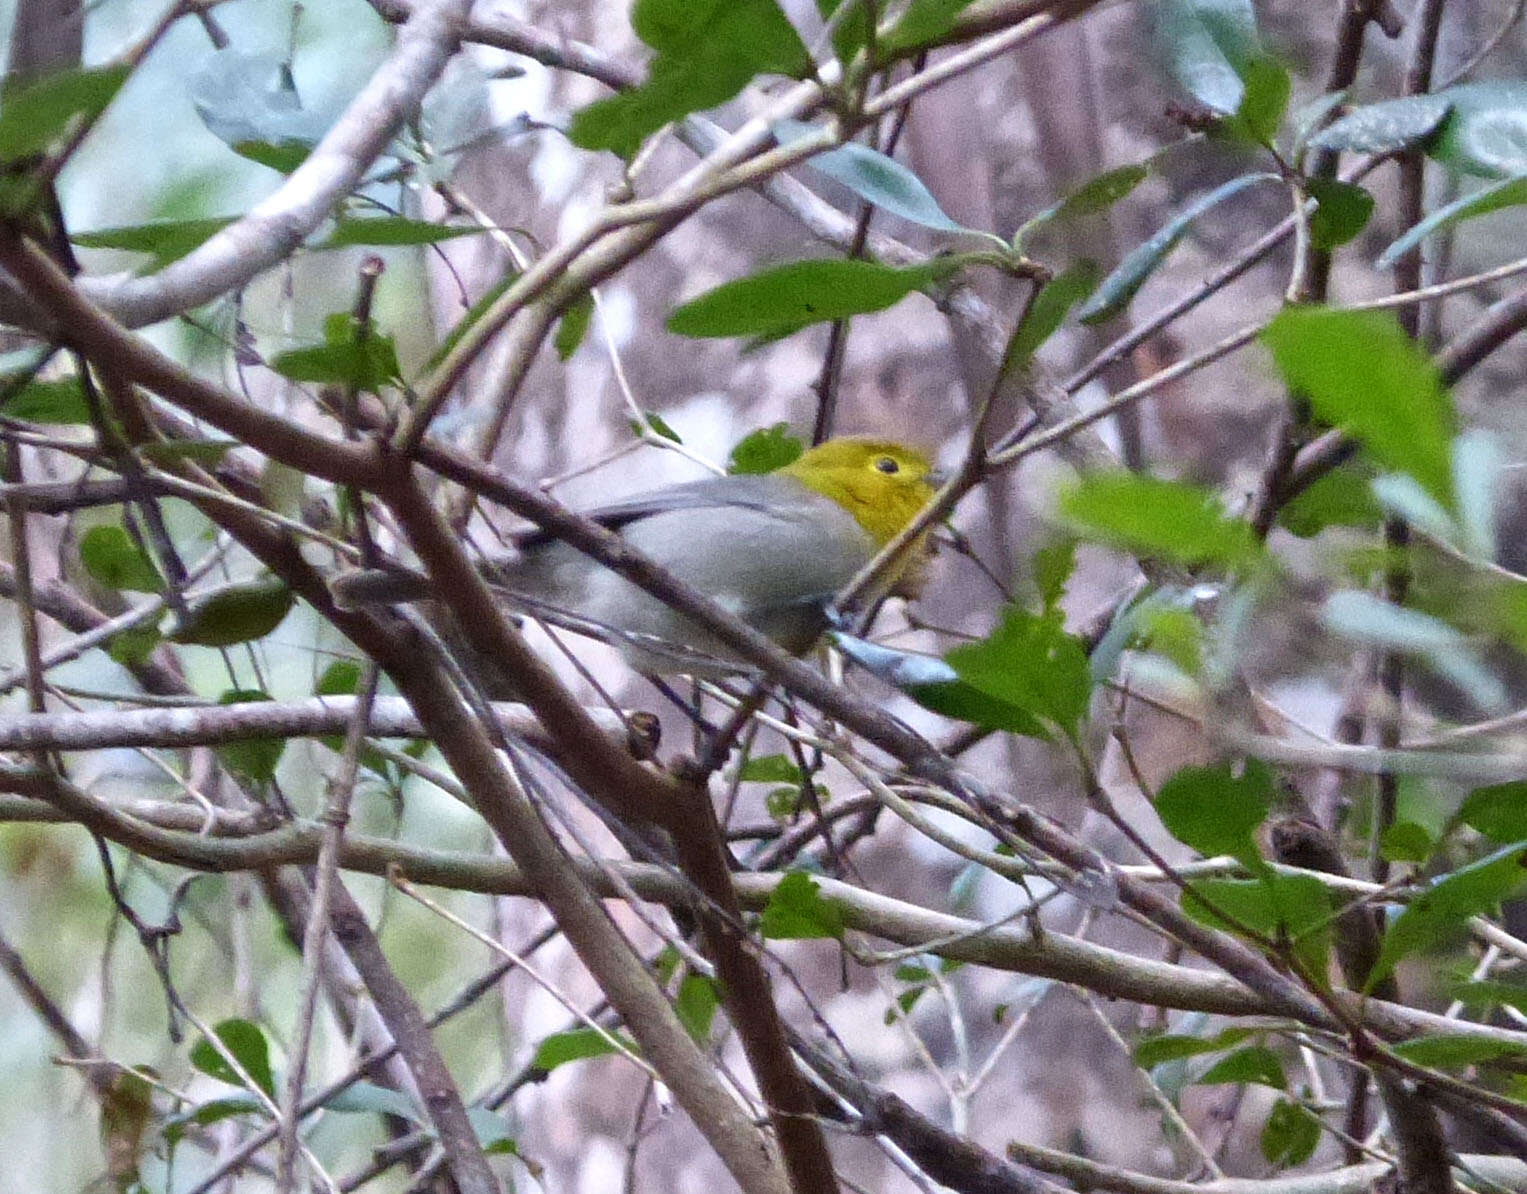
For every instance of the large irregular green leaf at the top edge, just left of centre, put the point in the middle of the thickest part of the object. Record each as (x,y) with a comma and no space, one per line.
(708,51)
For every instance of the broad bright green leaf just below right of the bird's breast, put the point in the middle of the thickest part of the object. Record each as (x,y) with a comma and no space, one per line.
(1033,665)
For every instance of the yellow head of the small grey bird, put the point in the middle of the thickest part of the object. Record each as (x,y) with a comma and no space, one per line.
(882,483)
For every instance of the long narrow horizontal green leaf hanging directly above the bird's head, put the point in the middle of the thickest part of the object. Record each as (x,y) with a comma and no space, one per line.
(789,298)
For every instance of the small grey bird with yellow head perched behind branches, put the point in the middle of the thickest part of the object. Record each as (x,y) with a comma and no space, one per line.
(772,549)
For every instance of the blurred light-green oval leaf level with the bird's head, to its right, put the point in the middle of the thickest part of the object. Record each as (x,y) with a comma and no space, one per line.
(1166,520)
